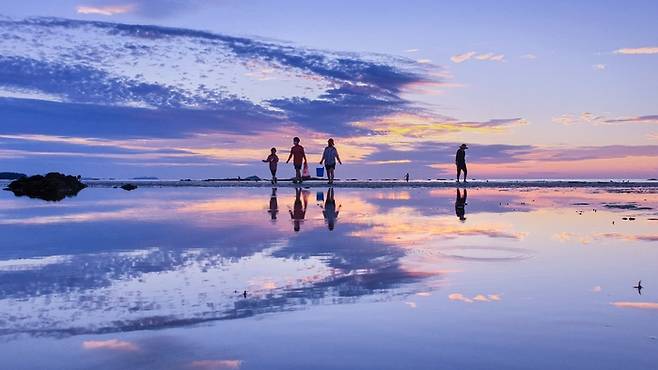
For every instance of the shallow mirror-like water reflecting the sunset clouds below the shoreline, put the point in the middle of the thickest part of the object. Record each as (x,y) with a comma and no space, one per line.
(381,279)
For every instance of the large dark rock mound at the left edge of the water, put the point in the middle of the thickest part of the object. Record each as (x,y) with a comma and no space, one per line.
(53,187)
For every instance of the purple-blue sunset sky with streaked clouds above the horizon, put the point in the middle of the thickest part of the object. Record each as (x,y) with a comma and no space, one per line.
(199,89)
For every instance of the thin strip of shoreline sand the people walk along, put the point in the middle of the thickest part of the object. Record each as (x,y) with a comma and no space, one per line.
(381,184)
